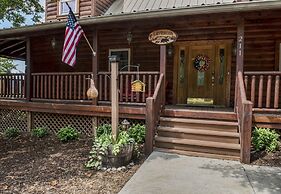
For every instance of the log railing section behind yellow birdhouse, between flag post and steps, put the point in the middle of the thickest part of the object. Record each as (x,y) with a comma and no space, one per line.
(126,95)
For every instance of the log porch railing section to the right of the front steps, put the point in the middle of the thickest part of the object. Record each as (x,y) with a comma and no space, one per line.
(263,88)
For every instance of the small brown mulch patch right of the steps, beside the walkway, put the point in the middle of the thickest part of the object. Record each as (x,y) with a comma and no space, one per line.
(266,159)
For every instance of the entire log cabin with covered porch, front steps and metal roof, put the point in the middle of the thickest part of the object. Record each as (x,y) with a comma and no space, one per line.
(207,113)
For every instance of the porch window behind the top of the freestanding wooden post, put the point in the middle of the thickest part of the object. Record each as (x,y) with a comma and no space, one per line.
(124,55)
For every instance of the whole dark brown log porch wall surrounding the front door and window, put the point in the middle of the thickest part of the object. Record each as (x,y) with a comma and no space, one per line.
(262,32)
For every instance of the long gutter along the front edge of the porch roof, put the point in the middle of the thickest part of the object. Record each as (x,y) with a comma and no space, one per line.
(184,11)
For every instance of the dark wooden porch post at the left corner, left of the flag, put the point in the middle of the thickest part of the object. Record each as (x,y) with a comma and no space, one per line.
(28,71)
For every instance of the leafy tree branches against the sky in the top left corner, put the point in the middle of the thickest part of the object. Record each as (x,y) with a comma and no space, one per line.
(16,10)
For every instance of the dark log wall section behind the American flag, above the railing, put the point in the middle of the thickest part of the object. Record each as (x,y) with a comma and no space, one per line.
(48,59)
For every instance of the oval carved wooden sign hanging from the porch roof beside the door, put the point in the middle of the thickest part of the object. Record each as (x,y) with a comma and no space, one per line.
(162,37)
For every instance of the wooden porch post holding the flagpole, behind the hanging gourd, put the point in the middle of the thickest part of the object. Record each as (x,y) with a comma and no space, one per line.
(95,62)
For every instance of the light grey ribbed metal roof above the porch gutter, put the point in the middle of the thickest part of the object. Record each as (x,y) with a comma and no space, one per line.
(131,6)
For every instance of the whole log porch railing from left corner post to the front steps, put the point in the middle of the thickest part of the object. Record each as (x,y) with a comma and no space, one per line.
(68,86)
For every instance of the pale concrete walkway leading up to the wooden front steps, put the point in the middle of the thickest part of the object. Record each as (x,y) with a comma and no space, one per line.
(164,173)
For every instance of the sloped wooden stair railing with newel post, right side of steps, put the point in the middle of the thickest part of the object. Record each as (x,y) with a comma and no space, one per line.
(244,115)
